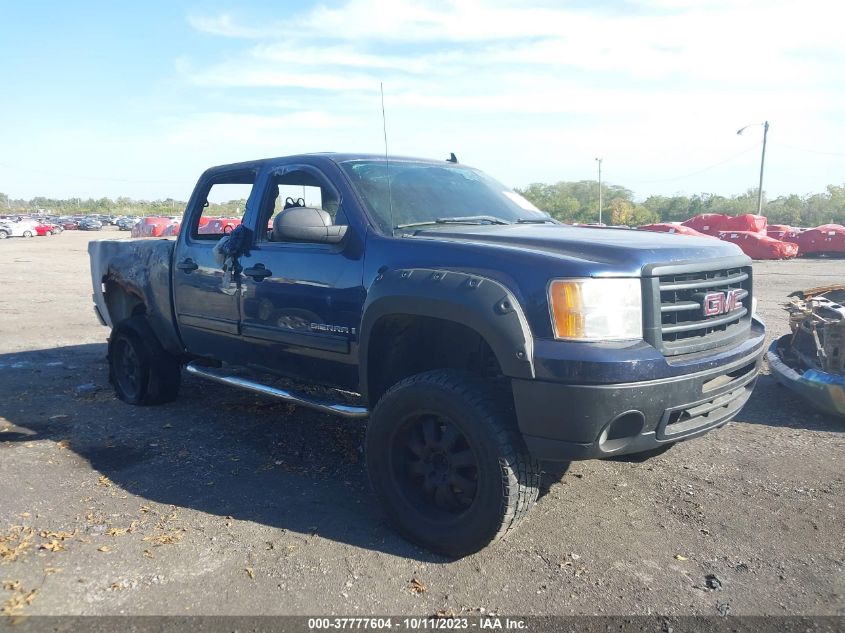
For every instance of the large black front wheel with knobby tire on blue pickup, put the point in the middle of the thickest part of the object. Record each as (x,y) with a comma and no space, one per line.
(448,464)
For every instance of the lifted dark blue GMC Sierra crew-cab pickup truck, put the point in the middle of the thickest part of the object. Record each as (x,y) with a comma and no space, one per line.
(477,335)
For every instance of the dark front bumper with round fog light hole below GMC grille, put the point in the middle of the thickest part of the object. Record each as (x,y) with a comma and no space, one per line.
(565,421)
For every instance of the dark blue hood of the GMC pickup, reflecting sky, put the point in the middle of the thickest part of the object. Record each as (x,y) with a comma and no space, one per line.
(621,251)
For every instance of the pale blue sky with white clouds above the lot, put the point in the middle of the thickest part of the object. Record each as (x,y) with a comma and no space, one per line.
(137,98)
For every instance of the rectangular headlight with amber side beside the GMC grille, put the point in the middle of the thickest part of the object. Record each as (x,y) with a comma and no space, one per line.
(596,309)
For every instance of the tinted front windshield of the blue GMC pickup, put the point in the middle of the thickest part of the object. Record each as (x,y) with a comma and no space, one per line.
(423,193)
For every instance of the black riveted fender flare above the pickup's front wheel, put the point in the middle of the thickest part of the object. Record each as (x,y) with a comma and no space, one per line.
(482,304)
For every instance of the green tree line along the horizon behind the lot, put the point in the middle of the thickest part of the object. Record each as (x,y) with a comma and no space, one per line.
(565,201)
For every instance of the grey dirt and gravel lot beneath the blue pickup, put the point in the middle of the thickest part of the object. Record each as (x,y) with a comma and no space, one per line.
(226,503)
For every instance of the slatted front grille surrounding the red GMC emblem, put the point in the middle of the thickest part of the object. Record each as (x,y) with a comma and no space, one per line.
(675,321)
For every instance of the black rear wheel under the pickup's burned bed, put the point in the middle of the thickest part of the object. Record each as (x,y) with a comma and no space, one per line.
(140,371)
